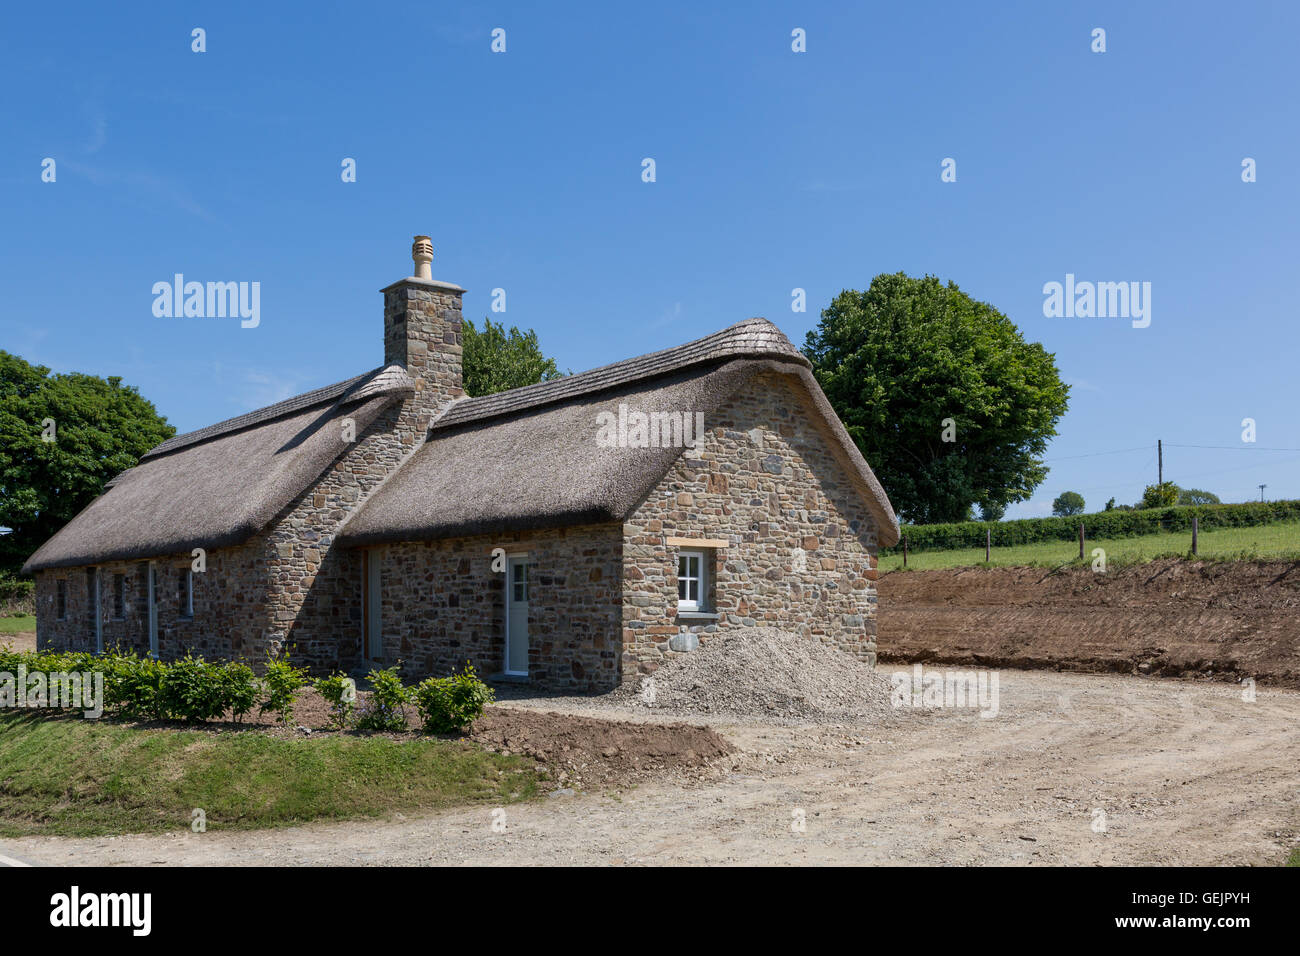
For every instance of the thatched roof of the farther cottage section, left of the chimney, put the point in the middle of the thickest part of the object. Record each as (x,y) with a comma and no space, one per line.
(222,485)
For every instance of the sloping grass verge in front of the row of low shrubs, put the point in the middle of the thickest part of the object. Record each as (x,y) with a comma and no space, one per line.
(75,777)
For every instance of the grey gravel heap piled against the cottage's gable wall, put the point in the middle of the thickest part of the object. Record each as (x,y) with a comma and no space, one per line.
(765,673)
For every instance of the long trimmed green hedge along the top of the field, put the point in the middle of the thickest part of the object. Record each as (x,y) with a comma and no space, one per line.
(1099,525)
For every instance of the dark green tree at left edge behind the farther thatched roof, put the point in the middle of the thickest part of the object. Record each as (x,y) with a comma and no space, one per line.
(99,430)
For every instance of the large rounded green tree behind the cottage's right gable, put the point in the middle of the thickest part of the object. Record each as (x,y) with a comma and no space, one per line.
(903,358)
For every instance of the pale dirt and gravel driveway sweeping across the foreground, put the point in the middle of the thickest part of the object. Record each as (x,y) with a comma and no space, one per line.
(1185,773)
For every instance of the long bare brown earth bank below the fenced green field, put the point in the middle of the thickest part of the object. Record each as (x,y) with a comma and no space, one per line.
(1178,618)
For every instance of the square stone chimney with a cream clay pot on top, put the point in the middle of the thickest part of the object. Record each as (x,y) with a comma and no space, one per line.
(422,332)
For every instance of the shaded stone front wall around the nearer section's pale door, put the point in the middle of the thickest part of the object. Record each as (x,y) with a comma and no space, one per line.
(444,605)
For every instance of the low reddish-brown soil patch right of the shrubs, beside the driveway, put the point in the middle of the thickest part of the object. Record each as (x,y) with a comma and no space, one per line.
(591,751)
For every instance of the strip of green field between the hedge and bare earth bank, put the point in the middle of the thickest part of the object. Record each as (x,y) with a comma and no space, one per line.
(1280,542)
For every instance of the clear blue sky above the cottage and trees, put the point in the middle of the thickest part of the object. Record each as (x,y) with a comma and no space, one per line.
(774,171)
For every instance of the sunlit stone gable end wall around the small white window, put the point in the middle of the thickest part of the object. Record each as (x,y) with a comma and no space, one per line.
(801,547)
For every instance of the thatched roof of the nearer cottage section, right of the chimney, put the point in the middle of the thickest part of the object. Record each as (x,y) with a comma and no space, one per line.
(530,458)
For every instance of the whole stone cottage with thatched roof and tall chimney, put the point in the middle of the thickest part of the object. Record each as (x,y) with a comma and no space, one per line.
(391,517)
